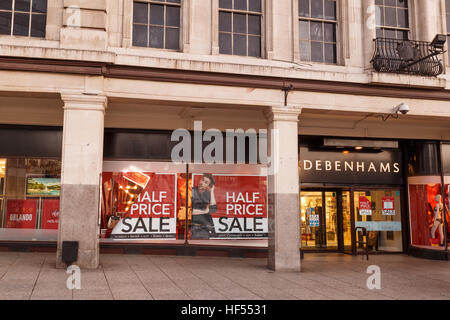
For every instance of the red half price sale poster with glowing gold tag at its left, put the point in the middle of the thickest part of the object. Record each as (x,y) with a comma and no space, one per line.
(145,205)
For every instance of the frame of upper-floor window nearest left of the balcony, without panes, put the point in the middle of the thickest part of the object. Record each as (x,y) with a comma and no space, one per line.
(340,37)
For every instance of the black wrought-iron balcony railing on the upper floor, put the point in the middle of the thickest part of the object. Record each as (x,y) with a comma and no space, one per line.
(408,56)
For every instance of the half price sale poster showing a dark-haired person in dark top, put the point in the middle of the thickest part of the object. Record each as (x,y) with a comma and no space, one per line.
(237,206)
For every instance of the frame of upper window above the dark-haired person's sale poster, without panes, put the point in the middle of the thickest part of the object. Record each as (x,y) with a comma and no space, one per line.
(263,21)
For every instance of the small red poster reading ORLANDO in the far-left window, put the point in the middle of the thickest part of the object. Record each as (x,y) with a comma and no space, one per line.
(21,214)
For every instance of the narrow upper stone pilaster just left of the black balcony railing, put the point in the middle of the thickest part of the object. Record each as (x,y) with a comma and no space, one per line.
(369,31)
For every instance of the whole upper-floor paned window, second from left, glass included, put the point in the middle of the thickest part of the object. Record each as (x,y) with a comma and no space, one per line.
(156,24)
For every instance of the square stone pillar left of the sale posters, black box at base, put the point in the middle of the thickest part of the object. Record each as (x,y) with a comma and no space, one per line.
(82,158)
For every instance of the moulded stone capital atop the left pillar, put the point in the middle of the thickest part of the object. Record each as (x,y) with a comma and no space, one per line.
(83,101)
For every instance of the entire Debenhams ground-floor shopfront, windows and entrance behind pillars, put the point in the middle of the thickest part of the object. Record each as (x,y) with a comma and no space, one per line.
(392,189)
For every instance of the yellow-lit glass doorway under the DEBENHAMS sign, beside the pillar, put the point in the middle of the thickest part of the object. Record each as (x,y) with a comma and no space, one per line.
(325,218)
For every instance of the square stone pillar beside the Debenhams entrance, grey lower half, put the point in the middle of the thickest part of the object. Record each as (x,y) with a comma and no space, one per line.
(283,188)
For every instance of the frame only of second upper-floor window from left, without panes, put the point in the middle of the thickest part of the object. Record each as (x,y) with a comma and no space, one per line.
(164,3)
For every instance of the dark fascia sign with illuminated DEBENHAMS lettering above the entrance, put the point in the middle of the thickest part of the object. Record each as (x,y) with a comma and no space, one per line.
(350,168)
